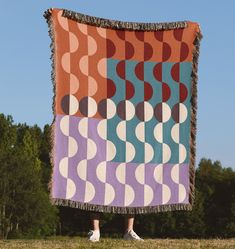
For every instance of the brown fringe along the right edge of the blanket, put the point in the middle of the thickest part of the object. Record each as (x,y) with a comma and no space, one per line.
(193,122)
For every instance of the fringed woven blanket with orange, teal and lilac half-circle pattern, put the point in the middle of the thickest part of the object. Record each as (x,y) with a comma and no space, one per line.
(125,103)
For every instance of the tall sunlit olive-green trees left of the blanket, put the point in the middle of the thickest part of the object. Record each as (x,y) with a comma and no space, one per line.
(25,206)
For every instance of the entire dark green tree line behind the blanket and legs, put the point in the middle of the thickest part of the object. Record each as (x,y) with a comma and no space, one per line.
(26,211)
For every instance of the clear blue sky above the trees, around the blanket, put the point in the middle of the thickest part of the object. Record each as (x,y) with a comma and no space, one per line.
(26,88)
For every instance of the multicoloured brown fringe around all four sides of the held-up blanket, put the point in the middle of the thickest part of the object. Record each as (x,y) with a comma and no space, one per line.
(105,23)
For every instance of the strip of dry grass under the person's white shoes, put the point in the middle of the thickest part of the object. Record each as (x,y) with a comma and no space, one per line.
(78,242)
